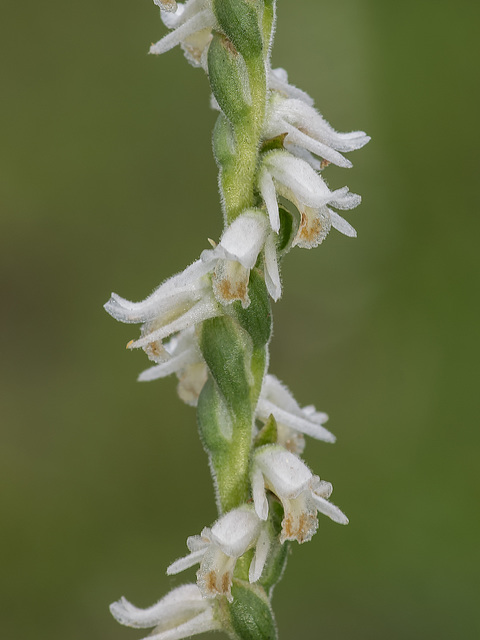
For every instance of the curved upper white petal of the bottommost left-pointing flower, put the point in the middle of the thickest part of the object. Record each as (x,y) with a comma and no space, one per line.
(186,599)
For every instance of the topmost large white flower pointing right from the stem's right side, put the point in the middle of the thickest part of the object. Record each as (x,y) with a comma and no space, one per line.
(307,129)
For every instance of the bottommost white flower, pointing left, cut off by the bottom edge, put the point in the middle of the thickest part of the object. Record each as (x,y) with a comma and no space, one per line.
(180,614)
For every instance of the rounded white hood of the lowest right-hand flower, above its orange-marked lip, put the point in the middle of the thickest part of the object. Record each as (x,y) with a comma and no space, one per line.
(285,474)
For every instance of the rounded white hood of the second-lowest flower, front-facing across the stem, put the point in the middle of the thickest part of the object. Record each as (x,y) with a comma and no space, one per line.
(236,531)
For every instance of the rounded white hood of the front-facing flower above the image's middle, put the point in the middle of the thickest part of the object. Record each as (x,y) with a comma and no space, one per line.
(244,238)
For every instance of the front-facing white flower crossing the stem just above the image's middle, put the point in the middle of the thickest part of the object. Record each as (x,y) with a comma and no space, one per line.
(237,254)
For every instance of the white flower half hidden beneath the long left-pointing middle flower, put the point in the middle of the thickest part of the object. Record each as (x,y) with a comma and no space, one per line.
(183,357)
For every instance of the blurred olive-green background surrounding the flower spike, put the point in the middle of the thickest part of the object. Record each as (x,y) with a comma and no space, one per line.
(107,183)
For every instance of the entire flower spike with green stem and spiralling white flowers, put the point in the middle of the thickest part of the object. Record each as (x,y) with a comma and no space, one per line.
(211,324)
